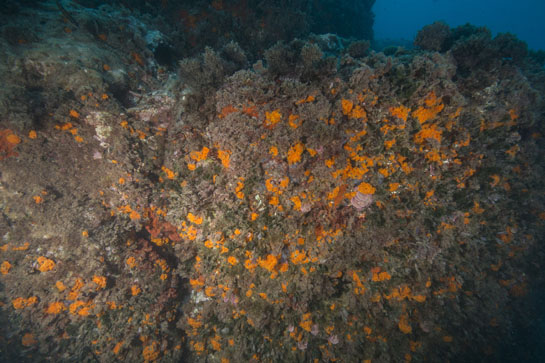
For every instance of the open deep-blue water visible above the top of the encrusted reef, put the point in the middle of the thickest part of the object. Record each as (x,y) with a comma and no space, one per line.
(401,19)
